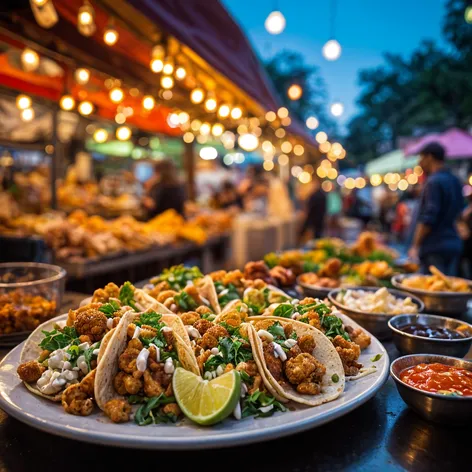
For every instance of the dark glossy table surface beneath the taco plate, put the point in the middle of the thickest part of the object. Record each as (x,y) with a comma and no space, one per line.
(383,434)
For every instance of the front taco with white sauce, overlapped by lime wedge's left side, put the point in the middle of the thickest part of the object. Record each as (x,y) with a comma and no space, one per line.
(138,365)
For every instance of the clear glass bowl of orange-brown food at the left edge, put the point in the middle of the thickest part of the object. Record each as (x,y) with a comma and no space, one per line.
(30,293)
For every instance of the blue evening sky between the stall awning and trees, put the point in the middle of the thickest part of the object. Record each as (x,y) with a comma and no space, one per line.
(365,29)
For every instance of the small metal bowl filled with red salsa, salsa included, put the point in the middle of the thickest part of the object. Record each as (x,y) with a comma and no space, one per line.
(439,388)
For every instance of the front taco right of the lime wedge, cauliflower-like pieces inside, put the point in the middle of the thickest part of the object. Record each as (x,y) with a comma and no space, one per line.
(298,361)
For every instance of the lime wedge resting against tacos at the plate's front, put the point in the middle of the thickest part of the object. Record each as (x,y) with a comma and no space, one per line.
(206,402)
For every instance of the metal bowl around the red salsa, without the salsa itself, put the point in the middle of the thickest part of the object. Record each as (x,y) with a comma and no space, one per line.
(432,406)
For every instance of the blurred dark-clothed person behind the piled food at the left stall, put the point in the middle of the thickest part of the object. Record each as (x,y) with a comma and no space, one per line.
(164,191)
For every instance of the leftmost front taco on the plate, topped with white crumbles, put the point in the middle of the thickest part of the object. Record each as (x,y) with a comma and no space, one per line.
(54,360)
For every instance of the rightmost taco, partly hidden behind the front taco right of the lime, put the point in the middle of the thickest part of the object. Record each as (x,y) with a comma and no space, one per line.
(348,338)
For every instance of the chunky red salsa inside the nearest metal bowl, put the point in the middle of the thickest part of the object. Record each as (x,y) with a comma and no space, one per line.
(439,378)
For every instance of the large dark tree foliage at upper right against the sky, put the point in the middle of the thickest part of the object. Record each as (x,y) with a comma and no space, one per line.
(429,90)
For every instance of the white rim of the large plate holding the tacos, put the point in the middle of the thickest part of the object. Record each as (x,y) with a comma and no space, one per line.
(213,441)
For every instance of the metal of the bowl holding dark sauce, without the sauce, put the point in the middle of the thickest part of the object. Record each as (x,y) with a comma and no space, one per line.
(408,343)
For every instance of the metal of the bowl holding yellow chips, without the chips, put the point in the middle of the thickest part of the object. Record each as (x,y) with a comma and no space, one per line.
(442,303)
